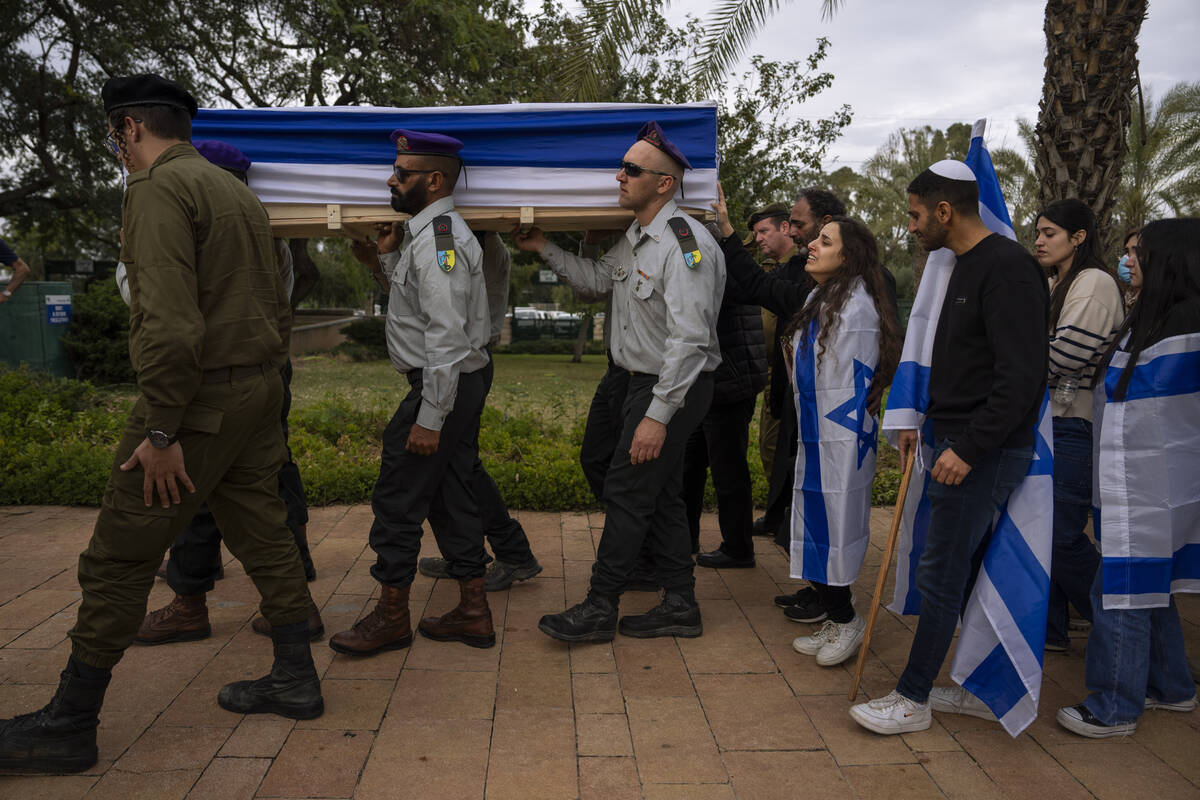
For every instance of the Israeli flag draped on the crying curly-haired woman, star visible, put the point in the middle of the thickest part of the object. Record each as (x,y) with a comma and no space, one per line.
(838,444)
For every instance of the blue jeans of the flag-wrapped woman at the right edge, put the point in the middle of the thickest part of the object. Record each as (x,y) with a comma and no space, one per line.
(1135,654)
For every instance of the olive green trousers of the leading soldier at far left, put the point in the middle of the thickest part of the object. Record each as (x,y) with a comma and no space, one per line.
(233,447)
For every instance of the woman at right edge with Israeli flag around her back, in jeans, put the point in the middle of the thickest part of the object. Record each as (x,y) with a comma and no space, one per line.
(1148,489)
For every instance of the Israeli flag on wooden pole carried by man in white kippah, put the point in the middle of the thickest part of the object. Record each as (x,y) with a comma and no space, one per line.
(999,655)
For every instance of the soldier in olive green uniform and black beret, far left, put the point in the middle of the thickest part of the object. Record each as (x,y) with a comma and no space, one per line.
(209,324)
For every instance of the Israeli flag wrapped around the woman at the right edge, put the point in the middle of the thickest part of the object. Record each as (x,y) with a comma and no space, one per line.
(1148,476)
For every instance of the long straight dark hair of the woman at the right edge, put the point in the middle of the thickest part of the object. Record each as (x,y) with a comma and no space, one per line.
(1169,258)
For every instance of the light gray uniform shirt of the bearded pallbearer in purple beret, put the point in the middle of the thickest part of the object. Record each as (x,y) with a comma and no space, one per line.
(437,318)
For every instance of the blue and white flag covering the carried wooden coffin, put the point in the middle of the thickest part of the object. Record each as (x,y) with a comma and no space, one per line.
(531,154)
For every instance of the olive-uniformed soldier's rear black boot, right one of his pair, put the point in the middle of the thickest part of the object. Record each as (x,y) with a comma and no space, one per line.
(291,690)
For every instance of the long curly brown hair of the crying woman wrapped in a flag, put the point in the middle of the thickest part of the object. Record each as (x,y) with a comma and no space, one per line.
(861,256)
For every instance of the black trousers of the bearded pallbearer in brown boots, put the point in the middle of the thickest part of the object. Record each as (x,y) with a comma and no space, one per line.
(441,489)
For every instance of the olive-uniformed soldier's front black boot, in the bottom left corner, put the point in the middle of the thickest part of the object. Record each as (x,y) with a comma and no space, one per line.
(61,738)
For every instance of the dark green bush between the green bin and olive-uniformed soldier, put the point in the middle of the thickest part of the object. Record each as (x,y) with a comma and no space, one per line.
(98,340)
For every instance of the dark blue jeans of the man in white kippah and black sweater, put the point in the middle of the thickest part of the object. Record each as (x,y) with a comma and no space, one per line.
(961,524)
